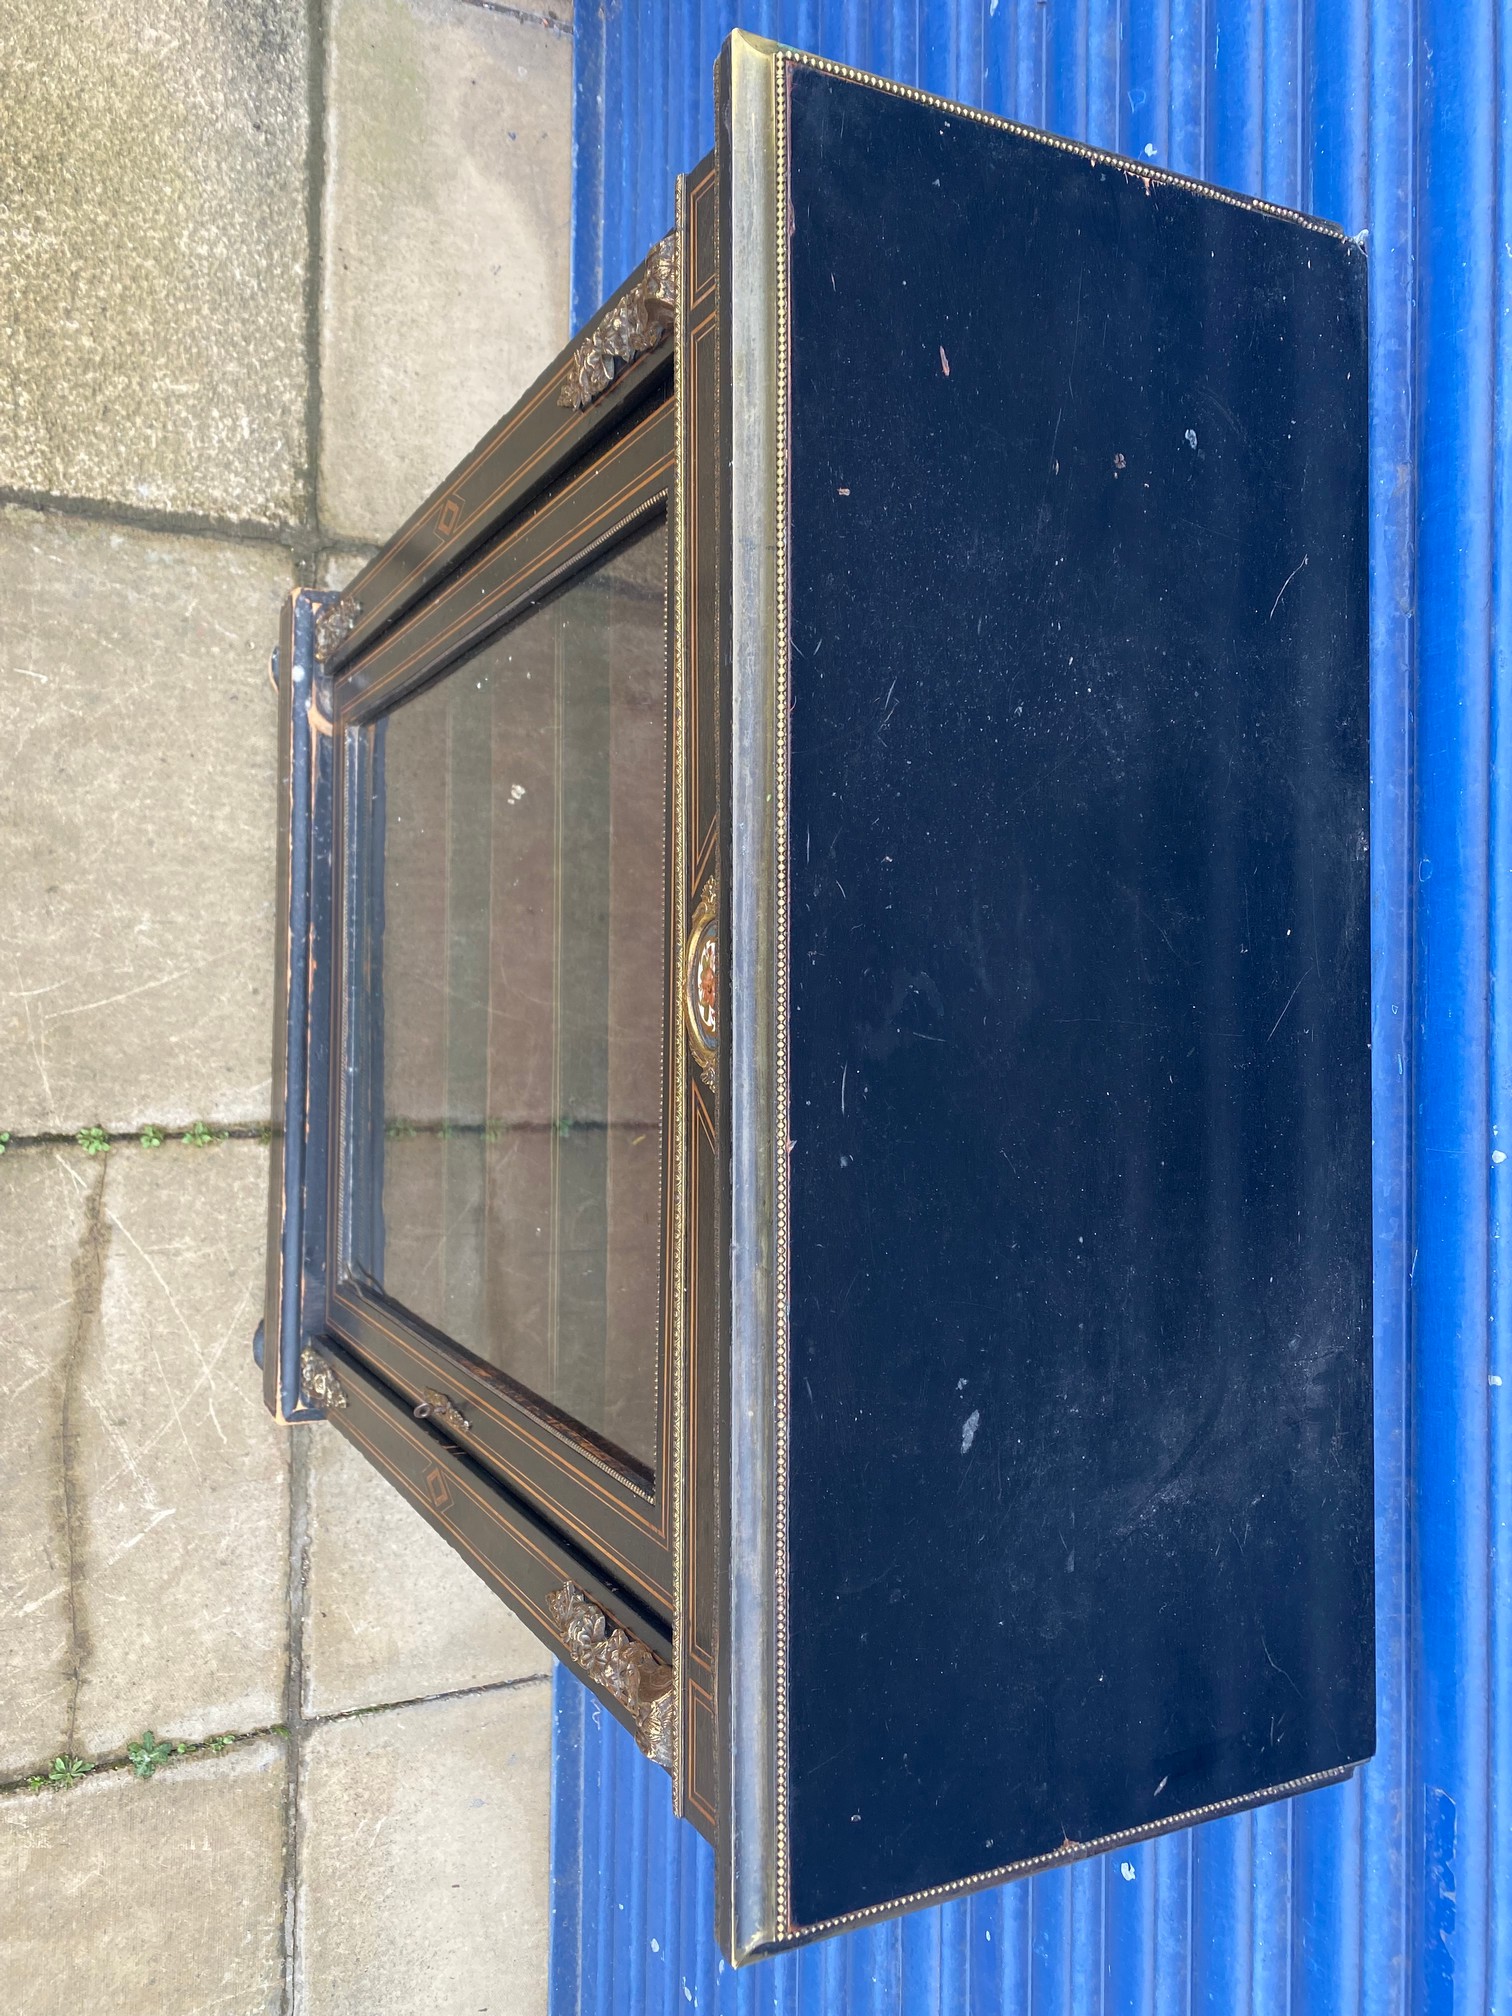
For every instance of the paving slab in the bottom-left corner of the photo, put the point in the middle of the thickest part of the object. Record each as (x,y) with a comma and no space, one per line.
(158,1898)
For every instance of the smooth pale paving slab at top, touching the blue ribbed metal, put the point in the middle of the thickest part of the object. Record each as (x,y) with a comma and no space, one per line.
(447,241)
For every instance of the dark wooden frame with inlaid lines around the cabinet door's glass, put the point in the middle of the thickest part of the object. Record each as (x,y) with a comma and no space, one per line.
(565,1473)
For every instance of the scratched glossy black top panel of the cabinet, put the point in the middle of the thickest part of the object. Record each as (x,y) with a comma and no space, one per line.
(1080,1001)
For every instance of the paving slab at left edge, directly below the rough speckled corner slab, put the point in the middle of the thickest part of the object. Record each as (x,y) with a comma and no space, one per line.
(136,826)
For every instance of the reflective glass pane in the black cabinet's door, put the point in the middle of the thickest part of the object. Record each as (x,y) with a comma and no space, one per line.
(513,965)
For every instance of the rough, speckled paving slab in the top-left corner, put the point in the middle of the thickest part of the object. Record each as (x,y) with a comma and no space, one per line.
(154,255)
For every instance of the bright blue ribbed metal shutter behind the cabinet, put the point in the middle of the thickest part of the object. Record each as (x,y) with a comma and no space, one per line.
(1390,1894)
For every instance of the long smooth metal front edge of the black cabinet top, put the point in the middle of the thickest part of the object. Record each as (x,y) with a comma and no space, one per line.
(751,1594)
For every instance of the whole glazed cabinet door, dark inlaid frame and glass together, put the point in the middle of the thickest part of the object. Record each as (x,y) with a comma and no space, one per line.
(503,1100)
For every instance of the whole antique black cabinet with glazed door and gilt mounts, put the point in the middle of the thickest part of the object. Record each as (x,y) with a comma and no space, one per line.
(824,1053)
